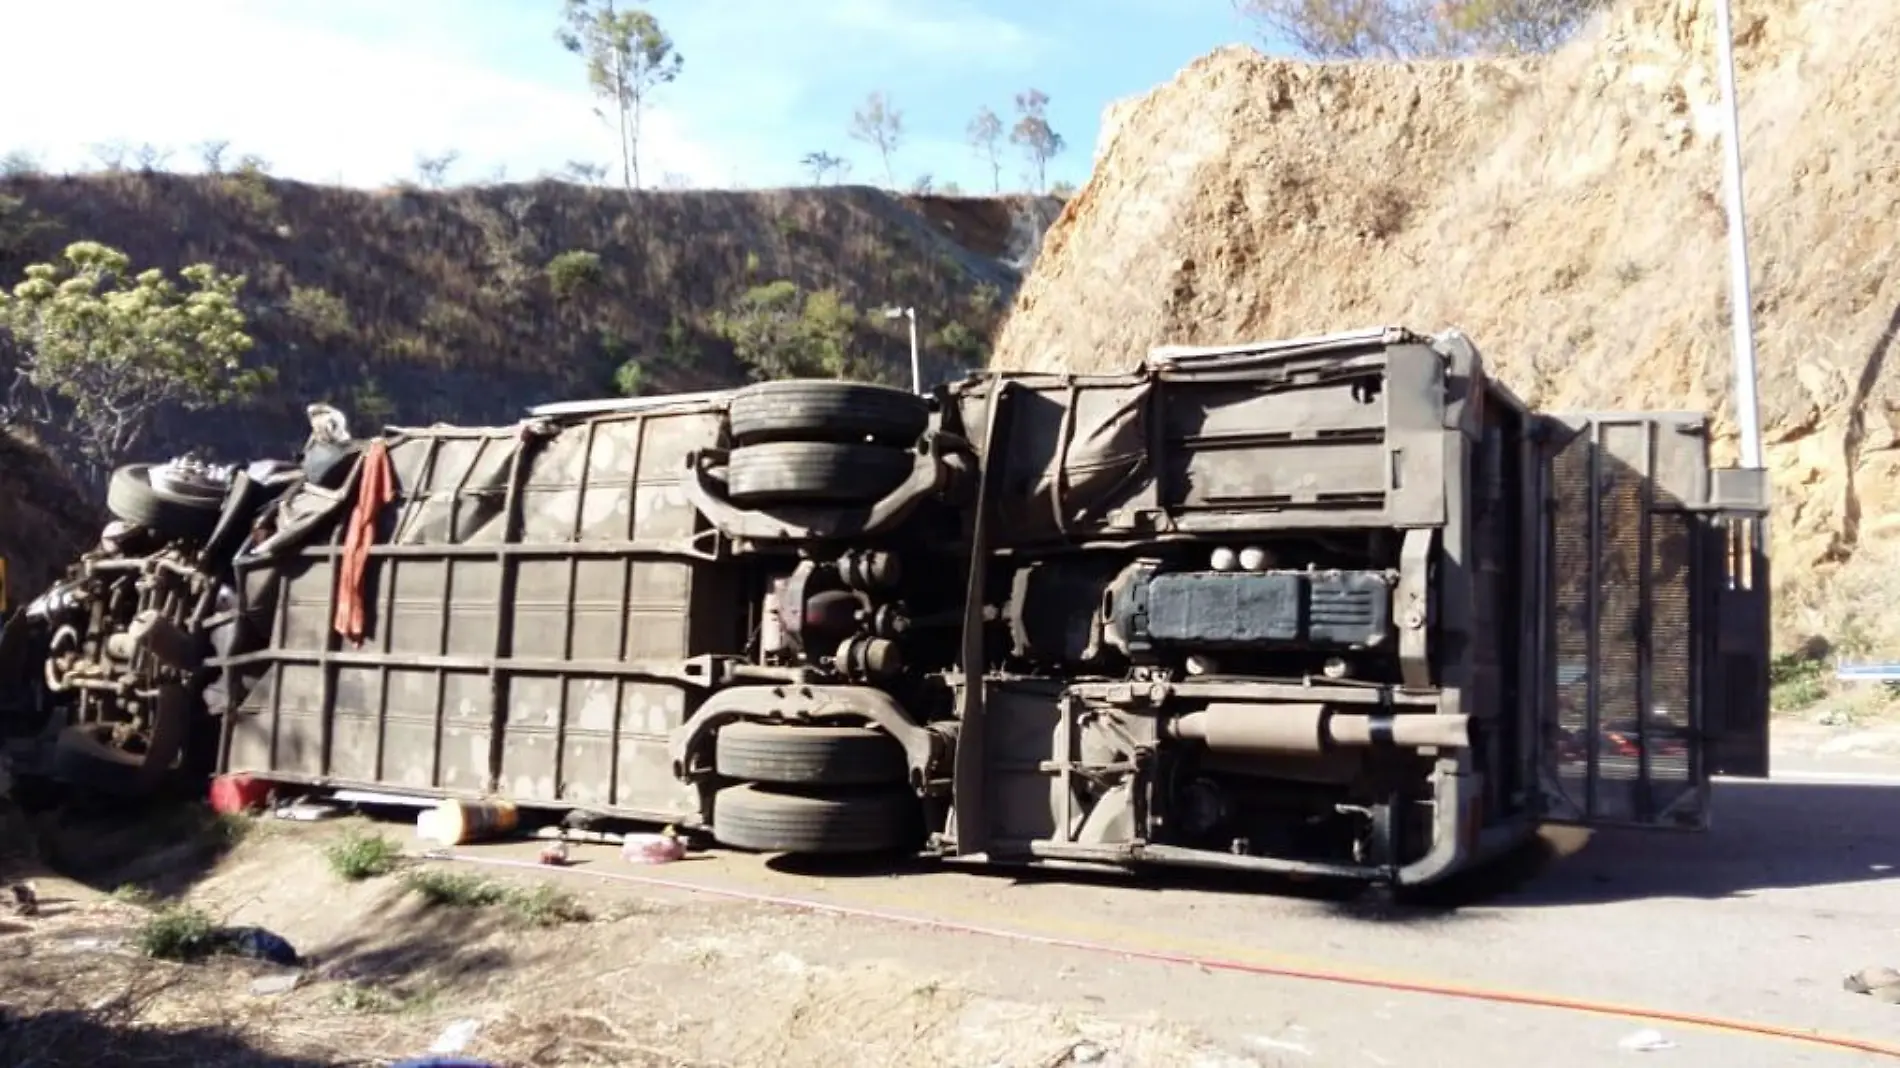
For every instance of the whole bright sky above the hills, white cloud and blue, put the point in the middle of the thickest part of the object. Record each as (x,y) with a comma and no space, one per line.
(354,92)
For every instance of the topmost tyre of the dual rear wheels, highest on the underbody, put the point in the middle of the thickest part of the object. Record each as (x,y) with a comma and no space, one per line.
(807,410)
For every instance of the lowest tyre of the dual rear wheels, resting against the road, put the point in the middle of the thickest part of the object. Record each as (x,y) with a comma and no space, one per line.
(839,822)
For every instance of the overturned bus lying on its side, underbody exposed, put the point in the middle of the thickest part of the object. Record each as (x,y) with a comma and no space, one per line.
(1333,607)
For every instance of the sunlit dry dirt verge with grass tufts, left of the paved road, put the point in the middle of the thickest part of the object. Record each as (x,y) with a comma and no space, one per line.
(575,976)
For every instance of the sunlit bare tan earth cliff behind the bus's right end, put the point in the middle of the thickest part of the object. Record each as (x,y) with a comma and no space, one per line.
(1568,216)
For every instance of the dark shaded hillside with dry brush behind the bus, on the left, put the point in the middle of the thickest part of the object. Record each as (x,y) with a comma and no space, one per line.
(408,305)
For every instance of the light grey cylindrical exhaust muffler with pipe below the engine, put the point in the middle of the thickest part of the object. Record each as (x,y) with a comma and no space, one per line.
(1295,729)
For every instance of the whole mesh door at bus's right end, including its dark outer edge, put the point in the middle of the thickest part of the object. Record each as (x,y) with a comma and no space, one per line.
(1639,590)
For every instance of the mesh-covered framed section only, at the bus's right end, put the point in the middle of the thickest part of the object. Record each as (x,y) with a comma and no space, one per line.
(1625,677)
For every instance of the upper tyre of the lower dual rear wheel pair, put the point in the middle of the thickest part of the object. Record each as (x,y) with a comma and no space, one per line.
(810,755)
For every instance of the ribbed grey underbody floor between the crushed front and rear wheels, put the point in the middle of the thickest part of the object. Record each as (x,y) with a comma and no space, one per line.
(531,613)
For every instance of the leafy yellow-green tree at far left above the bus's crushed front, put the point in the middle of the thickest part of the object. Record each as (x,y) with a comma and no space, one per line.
(100,351)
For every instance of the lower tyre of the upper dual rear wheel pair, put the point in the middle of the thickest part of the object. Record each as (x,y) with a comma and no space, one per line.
(814,472)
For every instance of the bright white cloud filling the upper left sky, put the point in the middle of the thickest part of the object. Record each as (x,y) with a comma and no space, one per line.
(318,102)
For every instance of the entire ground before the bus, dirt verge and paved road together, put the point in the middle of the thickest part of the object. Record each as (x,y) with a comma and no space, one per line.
(748,961)
